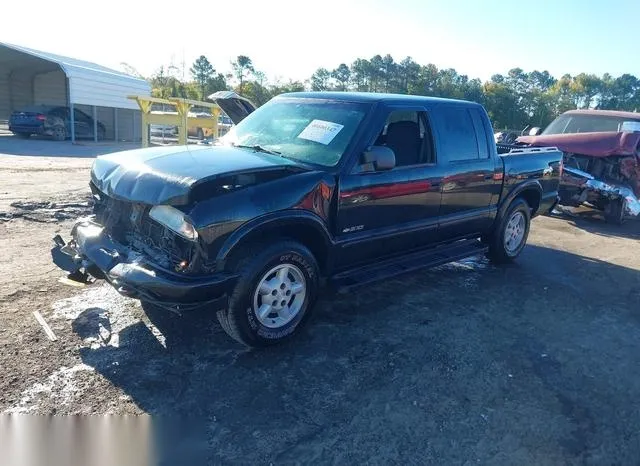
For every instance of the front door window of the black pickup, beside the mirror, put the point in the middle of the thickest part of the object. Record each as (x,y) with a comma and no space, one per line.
(408,134)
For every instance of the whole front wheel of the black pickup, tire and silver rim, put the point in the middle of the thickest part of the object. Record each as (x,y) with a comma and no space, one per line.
(274,294)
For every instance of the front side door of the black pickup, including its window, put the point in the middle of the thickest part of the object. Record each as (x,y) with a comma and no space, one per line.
(386,212)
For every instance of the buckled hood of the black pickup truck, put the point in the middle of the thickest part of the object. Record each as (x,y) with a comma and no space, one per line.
(168,175)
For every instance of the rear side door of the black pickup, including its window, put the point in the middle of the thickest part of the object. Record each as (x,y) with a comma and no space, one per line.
(469,180)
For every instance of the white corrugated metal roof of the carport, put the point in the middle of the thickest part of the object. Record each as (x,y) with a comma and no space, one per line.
(90,83)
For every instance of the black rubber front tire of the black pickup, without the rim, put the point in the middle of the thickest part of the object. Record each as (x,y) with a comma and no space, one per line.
(241,320)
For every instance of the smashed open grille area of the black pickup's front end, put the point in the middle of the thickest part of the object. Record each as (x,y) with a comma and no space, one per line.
(129,223)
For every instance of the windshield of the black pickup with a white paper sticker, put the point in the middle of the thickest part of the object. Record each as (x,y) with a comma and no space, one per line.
(309,130)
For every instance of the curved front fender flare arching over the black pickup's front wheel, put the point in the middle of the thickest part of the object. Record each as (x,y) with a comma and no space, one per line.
(264,223)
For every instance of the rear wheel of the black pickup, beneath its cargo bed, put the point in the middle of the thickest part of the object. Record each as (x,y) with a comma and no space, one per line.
(510,237)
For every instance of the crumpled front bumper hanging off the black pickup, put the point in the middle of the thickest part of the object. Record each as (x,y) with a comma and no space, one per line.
(93,252)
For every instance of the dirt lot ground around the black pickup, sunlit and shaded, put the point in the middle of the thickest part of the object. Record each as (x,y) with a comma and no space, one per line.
(535,363)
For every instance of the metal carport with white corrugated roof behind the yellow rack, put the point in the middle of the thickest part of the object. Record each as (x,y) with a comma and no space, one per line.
(31,77)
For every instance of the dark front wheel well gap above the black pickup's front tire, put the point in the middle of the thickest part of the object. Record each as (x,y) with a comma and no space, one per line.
(306,235)
